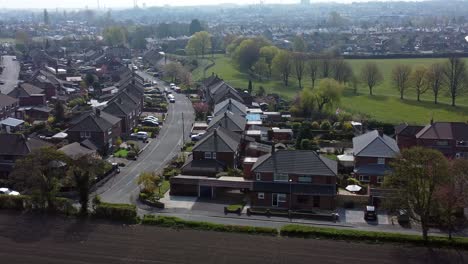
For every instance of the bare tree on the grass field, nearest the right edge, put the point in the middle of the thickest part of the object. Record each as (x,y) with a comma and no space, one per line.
(456,76)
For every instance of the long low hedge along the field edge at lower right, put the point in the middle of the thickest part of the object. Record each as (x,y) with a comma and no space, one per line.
(348,234)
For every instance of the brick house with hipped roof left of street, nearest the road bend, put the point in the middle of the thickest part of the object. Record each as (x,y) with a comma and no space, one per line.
(101,128)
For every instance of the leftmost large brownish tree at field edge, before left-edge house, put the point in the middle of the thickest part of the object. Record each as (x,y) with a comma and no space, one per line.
(40,173)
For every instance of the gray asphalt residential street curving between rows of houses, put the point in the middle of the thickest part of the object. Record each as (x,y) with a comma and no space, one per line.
(123,187)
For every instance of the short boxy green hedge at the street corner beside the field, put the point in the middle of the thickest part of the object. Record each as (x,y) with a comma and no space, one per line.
(120,212)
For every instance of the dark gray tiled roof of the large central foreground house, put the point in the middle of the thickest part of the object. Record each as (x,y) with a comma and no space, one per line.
(296,162)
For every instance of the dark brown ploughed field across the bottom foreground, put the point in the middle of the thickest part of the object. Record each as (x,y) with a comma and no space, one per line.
(33,239)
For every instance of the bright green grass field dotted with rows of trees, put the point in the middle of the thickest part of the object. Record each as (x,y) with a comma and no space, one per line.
(385,105)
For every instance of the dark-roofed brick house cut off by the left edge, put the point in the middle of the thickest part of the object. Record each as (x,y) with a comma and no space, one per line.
(13,147)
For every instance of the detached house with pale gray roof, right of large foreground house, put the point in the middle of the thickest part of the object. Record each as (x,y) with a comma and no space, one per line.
(373,152)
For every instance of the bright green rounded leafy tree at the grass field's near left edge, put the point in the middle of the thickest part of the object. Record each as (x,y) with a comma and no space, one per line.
(328,93)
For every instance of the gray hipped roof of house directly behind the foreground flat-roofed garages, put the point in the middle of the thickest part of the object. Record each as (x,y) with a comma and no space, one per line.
(219,140)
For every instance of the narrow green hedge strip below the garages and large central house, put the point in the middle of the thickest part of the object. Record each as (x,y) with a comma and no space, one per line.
(175,222)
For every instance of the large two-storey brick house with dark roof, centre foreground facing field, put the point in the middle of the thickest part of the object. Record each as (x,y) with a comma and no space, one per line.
(295,180)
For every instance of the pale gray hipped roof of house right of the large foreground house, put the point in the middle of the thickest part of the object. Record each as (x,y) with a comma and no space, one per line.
(371,144)
